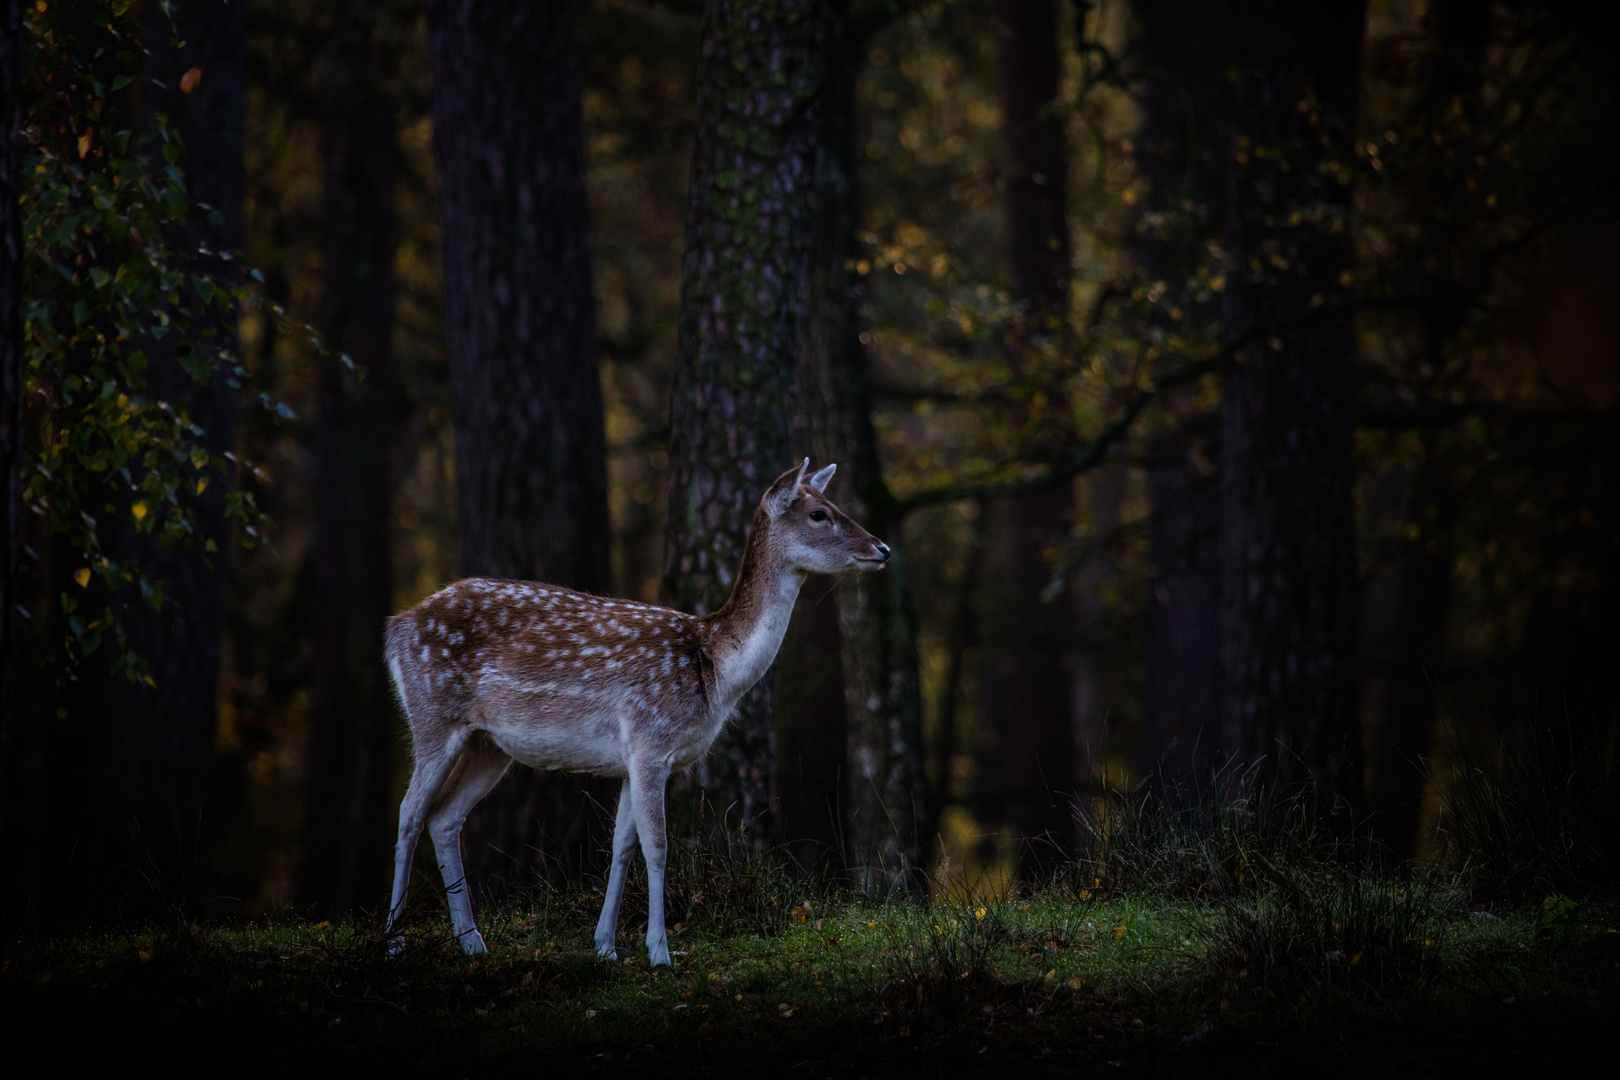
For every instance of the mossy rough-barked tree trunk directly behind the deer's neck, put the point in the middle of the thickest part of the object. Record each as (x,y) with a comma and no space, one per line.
(731,415)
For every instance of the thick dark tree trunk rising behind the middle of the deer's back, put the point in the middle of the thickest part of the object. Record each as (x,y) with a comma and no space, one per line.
(521,321)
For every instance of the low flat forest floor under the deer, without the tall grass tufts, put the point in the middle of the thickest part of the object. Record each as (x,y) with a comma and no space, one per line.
(1051,985)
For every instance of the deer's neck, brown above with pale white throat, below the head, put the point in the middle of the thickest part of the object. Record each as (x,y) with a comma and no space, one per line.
(748,631)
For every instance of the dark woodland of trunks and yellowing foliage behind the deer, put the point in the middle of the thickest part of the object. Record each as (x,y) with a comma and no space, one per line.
(1237,385)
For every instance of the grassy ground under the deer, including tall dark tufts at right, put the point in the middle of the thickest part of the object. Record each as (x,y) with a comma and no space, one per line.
(1230,933)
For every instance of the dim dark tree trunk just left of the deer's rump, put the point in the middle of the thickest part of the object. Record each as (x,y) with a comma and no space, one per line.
(347,846)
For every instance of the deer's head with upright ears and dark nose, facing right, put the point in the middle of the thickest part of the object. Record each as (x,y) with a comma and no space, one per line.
(803,527)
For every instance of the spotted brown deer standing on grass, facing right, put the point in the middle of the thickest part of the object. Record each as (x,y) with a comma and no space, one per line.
(498,671)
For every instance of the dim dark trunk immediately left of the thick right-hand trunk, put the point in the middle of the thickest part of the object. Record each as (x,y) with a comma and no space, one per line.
(1183,48)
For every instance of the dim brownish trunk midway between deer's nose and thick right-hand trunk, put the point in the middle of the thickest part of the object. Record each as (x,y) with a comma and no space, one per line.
(1026,679)
